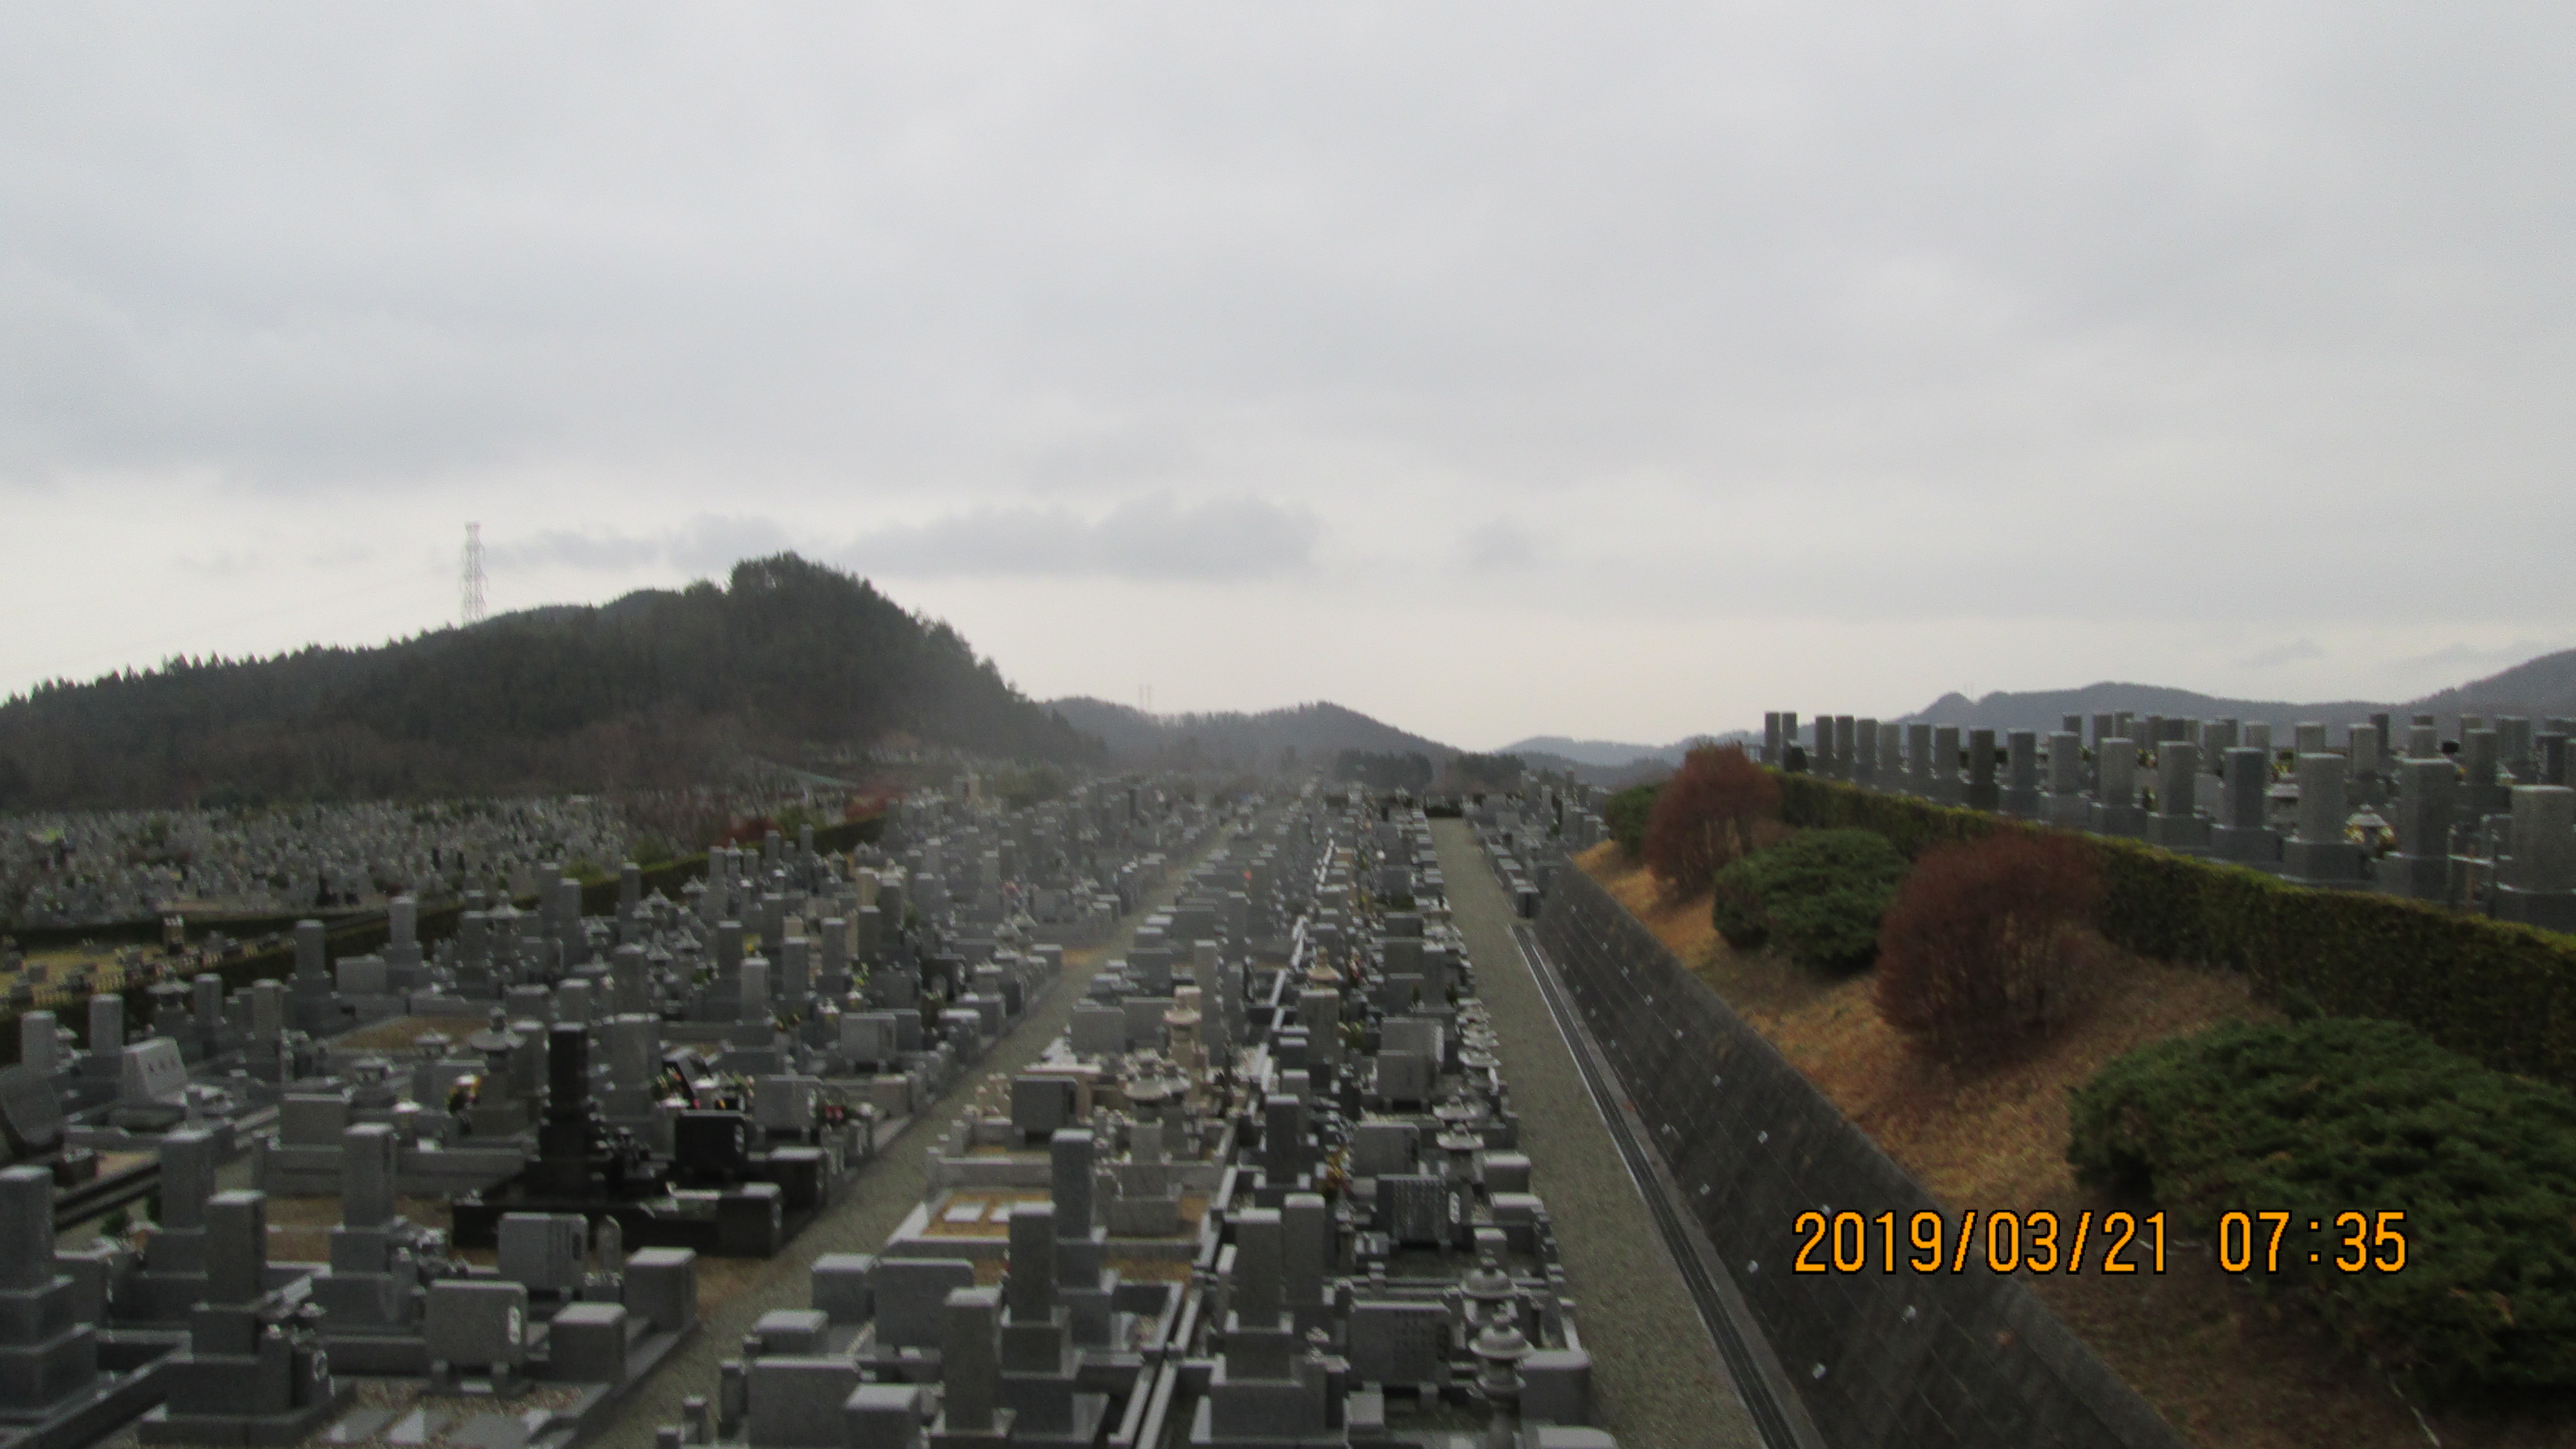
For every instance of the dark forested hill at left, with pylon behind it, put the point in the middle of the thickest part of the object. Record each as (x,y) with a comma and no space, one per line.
(648,692)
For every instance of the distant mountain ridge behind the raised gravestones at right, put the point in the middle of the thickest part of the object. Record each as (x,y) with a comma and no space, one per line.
(2541,687)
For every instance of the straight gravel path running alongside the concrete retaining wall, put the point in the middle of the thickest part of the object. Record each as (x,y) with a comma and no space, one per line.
(1655,1370)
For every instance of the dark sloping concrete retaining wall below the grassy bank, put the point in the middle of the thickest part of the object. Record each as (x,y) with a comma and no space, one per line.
(1882,1360)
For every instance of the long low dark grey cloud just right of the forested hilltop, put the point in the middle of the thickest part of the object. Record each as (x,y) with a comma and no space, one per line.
(1142,540)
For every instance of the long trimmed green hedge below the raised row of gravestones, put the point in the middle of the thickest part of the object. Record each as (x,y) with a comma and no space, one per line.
(2497,991)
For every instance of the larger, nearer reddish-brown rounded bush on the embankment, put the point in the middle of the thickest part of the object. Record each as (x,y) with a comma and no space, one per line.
(1990,945)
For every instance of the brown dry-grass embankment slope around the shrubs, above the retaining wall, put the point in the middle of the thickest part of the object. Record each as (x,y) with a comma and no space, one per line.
(2222,1363)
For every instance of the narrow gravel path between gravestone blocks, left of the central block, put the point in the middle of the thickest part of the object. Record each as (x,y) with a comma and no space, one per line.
(887,1190)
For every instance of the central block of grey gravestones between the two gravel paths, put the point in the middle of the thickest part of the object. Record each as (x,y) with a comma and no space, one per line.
(1266,1190)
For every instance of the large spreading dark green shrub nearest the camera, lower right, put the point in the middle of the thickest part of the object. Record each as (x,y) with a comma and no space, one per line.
(2340,1115)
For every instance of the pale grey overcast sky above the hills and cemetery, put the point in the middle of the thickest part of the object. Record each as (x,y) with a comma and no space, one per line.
(1495,370)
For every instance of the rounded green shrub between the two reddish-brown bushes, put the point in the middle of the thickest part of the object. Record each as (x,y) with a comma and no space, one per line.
(1817,896)
